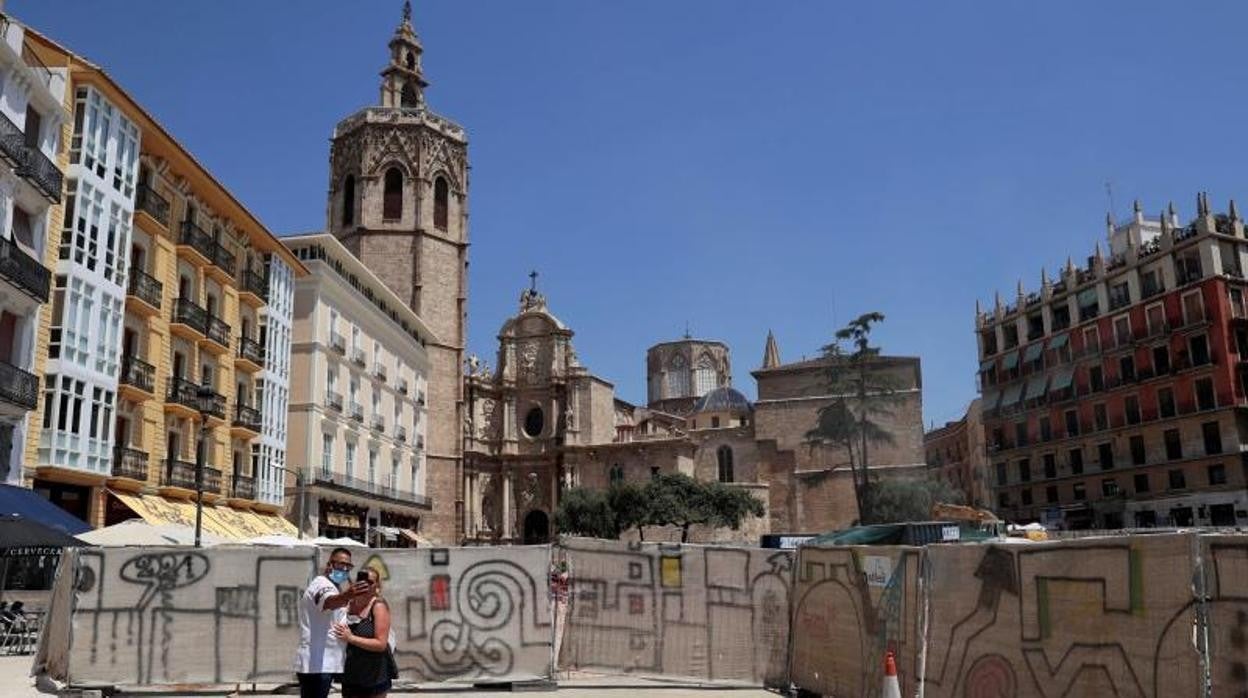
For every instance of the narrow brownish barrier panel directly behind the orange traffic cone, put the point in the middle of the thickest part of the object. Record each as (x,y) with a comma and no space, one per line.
(853,605)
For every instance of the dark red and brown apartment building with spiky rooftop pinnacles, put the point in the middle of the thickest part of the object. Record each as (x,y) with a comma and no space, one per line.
(1115,395)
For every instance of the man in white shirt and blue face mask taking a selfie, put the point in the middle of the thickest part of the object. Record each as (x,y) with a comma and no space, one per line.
(325,602)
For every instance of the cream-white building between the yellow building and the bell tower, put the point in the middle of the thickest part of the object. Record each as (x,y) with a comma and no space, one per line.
(359,420)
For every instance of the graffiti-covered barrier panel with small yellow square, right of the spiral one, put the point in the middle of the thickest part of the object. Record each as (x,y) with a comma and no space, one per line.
(698,612)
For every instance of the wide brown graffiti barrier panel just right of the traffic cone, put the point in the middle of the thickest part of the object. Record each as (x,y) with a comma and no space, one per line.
(1095,617)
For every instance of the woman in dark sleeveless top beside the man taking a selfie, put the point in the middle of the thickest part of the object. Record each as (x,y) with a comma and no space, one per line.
(369,667)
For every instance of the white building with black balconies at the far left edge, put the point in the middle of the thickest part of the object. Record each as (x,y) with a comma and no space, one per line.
(32,182)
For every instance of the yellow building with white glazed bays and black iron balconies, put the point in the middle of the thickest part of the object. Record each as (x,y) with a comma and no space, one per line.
(170,320)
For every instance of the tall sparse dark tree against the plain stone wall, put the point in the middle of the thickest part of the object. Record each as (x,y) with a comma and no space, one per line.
(854,374)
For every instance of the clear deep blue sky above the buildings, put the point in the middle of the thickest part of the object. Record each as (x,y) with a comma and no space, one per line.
(738,167)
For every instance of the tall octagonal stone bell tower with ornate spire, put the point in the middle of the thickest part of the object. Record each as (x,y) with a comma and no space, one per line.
(399,199)
